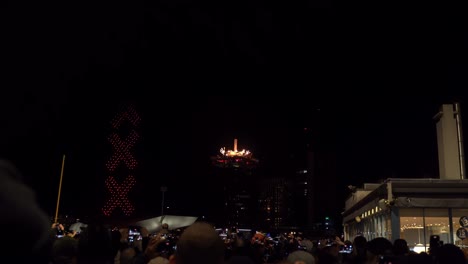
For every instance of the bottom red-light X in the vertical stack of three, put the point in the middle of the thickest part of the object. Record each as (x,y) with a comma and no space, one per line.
(119,195)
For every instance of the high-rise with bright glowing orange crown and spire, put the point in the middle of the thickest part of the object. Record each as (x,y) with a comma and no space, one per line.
(235,169)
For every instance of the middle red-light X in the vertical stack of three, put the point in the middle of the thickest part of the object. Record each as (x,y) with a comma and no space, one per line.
(122,151)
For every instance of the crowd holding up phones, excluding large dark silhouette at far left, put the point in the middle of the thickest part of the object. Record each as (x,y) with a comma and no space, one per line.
(201,243)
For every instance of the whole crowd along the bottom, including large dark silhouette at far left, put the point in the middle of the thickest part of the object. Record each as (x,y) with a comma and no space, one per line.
(31,239)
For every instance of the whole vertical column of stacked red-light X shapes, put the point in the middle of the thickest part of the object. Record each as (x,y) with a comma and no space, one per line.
(121,154)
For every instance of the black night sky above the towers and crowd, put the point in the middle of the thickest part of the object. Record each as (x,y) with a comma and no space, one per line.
(201,76)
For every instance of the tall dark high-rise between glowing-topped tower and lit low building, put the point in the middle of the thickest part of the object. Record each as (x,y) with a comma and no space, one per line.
(313,172)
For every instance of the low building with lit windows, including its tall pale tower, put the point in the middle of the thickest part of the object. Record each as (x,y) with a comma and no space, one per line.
(417,209)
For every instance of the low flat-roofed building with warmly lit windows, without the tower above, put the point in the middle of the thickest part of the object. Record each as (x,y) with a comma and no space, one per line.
(411,209)
